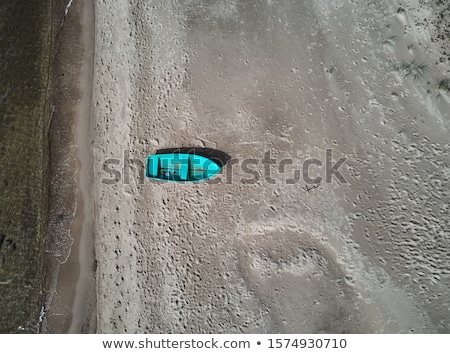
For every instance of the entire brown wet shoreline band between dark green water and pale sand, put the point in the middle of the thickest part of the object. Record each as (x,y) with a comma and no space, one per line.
(69,277)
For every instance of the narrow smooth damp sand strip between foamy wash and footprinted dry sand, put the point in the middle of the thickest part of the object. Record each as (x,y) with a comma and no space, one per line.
(84,304)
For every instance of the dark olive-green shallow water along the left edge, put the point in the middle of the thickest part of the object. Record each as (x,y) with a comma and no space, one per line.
(27,33)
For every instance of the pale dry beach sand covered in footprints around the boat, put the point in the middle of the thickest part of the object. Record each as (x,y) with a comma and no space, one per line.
(295,78)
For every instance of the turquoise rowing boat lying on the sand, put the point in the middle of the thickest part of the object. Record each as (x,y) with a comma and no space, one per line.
(179,167)
